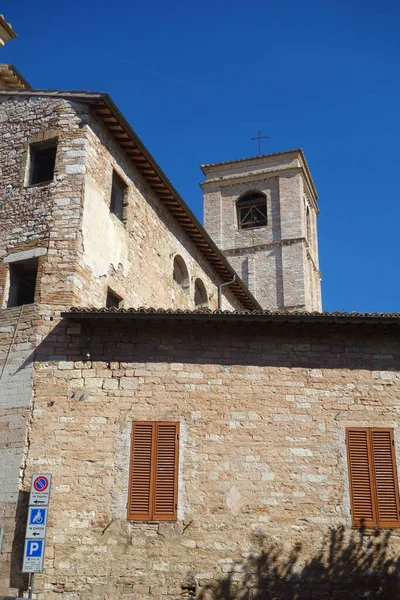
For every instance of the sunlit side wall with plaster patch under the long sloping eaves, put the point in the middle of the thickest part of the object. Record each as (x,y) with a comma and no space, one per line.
(134,257)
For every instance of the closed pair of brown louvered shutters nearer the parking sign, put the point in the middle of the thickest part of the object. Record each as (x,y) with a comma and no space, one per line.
(153,475)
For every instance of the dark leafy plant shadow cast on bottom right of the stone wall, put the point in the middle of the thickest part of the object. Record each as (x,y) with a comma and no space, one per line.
(348,567)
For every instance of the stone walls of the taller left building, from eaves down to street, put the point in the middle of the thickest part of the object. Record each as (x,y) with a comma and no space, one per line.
(82,250)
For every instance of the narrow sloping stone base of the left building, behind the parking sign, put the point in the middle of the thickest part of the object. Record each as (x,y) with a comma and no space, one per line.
(16,364)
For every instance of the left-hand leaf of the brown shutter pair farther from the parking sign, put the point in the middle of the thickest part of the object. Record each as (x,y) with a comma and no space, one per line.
(363,509)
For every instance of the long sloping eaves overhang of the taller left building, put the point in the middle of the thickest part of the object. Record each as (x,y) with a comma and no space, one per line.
(119,128)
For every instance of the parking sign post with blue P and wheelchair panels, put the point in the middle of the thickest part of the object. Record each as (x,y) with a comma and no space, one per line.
(35,535)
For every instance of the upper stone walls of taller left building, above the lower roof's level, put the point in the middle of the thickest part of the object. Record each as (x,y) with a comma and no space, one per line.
(84,249)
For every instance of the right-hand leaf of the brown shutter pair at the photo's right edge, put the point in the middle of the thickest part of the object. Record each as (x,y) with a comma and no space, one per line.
(386,484)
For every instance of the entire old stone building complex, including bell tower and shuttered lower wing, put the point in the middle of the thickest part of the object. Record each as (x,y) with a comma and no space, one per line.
(198,447)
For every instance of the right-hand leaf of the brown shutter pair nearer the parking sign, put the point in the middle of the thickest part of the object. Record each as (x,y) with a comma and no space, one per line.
(166,471)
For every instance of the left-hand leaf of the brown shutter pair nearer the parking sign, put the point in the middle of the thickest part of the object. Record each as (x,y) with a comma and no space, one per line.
(140,480)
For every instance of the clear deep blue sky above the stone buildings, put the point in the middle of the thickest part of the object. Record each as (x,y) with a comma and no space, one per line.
(198,79)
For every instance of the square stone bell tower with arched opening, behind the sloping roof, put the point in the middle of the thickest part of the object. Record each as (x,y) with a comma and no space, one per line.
(262,213)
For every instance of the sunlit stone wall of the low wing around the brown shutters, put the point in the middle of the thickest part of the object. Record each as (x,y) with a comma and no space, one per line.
(263,411)
